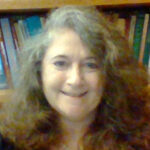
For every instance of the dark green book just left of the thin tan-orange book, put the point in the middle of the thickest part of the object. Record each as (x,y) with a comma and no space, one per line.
(138,34)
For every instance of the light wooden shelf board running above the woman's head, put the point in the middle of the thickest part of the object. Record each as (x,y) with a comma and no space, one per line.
(28,5)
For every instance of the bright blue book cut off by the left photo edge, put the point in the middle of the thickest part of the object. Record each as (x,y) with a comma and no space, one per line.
(3,79)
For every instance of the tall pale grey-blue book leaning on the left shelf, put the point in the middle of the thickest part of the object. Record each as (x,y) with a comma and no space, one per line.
(10,49)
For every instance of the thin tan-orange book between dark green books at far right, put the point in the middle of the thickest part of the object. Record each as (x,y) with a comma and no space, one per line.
(142,46)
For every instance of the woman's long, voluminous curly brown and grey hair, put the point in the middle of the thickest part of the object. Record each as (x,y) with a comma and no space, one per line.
(122,121)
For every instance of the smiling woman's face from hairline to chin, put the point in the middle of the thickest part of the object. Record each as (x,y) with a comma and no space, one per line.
(72,80)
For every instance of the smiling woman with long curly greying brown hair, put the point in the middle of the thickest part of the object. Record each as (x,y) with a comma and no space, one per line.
(80,88)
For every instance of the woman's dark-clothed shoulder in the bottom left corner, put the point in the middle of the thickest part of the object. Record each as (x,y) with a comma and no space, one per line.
(5,144)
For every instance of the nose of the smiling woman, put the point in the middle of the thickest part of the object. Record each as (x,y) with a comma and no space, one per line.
(75,76)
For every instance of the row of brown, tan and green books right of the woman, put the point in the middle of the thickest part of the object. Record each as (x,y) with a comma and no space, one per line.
(136,29)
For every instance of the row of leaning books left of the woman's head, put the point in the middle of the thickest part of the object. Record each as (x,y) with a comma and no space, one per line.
(14,31)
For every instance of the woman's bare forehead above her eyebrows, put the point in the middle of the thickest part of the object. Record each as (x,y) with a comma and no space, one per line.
(67,42)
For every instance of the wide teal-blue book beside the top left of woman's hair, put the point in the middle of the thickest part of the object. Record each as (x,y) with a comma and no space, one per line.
(33,25)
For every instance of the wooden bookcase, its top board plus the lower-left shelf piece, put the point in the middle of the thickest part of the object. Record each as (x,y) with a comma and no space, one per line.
(17,6)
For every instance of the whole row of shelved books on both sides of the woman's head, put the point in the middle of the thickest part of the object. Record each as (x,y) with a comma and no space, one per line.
(15,30)
